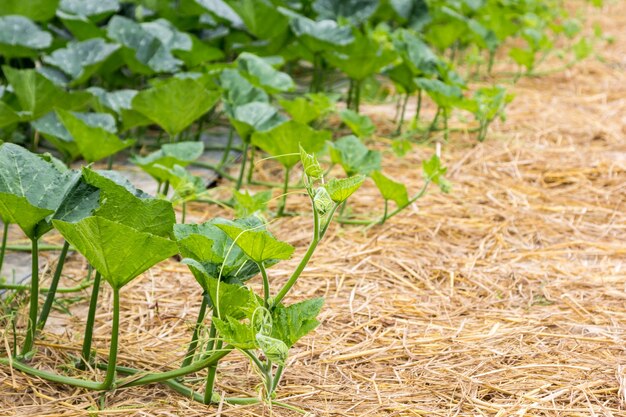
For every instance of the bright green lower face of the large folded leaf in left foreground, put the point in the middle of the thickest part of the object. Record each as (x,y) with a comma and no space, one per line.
(119,252)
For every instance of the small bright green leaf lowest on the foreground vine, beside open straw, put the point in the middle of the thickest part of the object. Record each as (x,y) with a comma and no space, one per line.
(292,323)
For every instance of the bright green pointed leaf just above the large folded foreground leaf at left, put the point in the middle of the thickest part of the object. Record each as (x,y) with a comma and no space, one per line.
(94,142)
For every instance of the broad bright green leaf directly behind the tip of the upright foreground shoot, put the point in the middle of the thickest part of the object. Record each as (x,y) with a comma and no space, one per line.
(284,141)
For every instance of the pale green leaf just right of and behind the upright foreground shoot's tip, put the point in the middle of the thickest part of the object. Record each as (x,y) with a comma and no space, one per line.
(354,156)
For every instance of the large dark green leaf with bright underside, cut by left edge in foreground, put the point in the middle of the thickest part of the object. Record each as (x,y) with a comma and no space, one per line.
(31,189)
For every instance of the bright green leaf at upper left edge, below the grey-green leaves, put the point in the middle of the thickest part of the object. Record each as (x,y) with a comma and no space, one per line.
(37,95)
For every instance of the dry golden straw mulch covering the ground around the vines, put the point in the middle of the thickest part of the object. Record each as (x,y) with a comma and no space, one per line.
(505,297)
